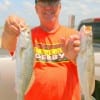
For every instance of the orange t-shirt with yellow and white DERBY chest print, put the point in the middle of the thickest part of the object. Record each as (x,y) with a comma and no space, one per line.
(56,78)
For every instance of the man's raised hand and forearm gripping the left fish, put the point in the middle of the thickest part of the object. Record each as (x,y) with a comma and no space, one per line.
(11,31)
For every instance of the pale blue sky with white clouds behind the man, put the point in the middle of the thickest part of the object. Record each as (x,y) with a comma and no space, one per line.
(25,9)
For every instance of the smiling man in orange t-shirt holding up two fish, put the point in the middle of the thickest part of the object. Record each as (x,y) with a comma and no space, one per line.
(56,48)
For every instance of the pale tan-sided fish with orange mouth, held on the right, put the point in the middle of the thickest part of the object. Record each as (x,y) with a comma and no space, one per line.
(85,63)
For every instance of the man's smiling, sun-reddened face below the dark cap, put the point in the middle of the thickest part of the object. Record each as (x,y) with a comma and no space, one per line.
(48,11)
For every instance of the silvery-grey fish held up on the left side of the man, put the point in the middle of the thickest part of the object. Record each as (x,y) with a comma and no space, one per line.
(24,55)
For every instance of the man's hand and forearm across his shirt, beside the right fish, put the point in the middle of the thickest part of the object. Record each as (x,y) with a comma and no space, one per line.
(71,47)
